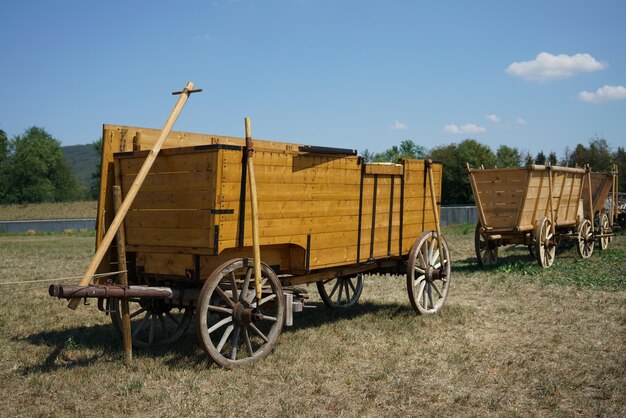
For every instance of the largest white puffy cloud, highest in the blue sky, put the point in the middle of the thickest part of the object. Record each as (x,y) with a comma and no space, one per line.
(548,67)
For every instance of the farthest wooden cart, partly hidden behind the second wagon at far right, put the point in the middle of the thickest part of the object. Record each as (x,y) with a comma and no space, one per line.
(605,216)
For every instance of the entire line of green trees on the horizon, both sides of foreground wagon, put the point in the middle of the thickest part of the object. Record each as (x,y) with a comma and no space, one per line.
(33,167)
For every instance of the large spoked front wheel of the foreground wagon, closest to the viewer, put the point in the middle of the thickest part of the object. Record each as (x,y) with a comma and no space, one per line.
(235,328)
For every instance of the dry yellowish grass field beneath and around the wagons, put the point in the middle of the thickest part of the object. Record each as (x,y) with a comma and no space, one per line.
(513,340)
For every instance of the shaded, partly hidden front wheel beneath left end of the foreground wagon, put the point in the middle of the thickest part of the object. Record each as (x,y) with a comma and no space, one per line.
(153,322)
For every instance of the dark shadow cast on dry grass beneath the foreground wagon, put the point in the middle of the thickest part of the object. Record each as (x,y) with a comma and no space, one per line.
(68,346)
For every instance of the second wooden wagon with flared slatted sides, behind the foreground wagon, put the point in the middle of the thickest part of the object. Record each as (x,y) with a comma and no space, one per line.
(538,206)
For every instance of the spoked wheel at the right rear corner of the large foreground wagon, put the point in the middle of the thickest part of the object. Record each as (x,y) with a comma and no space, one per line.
(428,273)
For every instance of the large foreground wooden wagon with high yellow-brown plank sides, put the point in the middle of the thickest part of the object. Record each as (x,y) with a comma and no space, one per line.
(325,216)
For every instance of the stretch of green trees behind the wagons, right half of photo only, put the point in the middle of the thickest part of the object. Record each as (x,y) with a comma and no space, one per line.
(456,188)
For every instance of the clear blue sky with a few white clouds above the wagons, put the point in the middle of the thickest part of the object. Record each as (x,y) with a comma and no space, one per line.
(354,74)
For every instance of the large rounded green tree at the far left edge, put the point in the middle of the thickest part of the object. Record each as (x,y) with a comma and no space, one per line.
(37,170)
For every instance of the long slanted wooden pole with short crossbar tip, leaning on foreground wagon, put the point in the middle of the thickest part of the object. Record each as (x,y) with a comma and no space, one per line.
(134,189)
